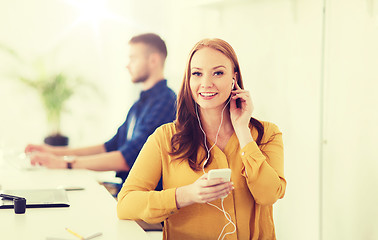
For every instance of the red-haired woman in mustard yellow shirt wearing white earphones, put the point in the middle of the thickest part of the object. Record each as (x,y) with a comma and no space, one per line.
(213,129)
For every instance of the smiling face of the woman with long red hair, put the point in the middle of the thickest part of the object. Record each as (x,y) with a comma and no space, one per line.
(211,78)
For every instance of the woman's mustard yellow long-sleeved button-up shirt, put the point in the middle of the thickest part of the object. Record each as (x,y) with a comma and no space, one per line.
(257,174)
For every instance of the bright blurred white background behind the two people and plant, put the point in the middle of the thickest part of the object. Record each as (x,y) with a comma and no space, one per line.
(311,67)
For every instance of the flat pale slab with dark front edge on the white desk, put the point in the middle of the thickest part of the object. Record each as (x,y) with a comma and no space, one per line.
(37,198)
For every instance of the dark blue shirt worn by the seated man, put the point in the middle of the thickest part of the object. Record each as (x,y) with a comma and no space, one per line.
(155,107)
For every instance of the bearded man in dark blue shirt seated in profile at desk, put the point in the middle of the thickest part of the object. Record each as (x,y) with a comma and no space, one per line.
(156,106)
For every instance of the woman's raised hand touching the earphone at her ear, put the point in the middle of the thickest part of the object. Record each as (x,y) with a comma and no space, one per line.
(240,116)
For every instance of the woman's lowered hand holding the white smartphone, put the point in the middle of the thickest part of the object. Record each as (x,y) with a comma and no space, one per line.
(203,190)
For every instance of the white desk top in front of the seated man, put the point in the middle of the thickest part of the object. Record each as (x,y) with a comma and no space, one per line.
(92,210)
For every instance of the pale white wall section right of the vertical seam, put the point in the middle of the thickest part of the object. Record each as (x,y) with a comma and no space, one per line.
(350,179)
